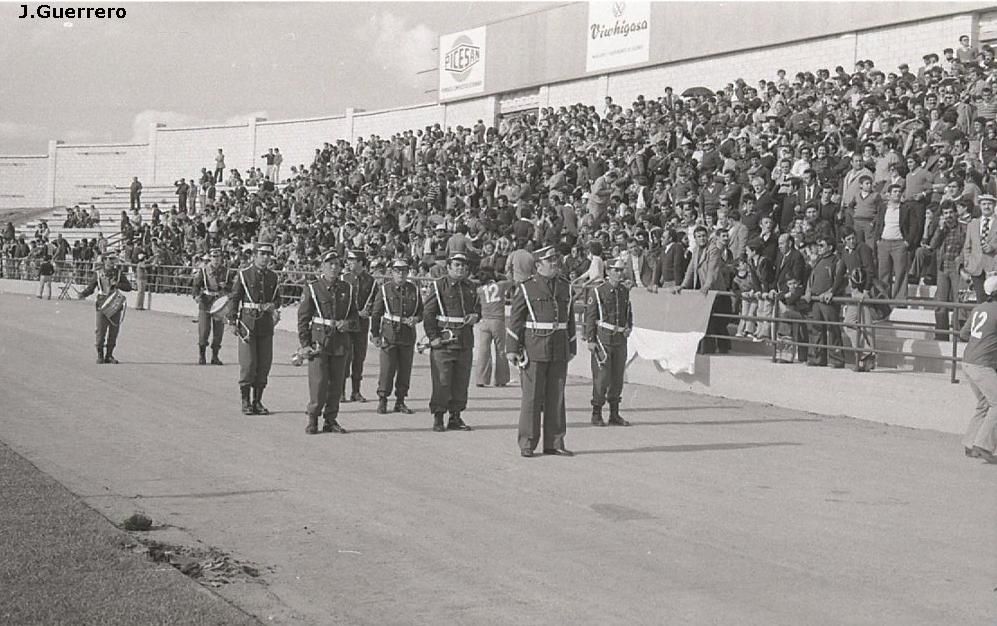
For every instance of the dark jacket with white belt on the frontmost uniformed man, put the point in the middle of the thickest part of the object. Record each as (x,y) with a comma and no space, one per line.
(544,301)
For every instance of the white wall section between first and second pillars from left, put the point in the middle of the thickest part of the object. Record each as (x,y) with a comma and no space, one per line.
(82,171)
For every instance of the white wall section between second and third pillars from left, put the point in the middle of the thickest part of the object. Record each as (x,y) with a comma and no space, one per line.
(182,152)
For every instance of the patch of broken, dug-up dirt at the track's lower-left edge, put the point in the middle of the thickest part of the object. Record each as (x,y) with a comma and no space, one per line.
(209,566)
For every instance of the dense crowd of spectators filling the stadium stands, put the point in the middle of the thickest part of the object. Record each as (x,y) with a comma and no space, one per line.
(788,192)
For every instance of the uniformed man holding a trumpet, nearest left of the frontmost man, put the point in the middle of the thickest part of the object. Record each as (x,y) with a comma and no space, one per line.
(451,311)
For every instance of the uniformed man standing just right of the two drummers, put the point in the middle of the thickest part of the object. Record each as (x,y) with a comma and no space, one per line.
(253,313)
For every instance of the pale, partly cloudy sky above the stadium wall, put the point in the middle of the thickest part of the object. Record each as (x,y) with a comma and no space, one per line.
(181,64)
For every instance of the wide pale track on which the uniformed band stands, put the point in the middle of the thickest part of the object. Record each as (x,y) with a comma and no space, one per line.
(705,511)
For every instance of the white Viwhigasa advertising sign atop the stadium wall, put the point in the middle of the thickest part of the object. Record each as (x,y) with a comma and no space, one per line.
(618,34)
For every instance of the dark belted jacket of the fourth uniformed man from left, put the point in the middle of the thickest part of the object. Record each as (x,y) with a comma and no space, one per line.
(329,301)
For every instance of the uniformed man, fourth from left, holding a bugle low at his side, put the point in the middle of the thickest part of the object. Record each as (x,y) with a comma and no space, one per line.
(327,322)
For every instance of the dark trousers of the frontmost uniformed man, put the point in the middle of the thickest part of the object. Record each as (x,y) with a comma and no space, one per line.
(543,392)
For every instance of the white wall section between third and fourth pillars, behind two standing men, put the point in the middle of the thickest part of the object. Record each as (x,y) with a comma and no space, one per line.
(298,139)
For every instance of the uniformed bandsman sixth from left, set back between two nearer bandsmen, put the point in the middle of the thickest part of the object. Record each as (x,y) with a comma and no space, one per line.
(397,309)
